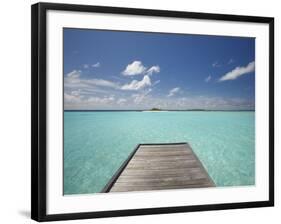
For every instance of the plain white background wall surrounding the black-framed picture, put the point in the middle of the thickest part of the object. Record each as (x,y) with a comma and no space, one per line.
(15,110)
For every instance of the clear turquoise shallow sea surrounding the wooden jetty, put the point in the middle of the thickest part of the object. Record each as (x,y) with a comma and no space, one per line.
(97,143)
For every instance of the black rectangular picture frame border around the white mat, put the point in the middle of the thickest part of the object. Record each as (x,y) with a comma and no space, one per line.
(38,110)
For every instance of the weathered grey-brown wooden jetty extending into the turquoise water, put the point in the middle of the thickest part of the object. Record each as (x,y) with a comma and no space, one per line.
(160,167)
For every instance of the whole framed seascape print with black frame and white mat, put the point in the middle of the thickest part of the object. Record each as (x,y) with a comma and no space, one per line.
(138,111)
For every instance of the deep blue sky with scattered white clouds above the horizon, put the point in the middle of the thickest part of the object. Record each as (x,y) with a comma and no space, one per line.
(137,70)
